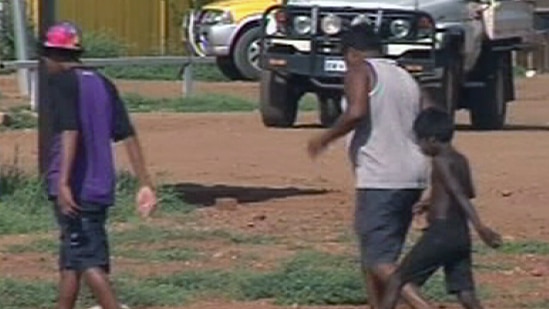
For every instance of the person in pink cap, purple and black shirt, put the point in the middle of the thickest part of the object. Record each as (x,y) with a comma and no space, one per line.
(87,115)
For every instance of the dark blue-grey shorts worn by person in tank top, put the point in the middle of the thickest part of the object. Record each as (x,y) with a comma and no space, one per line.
(382,220)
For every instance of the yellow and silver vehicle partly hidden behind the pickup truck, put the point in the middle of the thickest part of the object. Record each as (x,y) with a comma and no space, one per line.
(230,31)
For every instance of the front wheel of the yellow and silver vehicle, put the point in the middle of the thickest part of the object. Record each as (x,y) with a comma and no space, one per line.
(246,54)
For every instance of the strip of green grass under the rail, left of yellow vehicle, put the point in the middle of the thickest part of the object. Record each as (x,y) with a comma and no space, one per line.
(201,72)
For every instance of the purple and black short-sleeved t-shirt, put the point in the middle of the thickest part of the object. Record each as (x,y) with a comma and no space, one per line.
(83,100)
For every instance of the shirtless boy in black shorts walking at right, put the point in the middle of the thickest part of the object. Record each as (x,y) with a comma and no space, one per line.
(446,242)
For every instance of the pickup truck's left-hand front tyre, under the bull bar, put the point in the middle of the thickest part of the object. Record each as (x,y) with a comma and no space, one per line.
(278,100)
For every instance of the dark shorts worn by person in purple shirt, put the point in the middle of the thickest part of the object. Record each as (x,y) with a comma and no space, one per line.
(83,239)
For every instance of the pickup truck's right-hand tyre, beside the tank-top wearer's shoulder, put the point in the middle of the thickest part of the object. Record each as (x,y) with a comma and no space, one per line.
(489,106)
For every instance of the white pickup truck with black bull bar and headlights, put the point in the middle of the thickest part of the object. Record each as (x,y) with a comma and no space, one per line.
(461,49)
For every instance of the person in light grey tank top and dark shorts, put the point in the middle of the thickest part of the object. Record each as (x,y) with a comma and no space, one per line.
(382,101)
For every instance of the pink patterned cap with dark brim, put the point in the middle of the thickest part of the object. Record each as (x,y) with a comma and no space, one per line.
(63,36)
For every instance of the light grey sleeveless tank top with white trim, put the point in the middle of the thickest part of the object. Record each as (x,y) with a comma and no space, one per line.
(383,149)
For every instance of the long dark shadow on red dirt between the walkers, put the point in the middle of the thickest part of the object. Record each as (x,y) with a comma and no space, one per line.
(204,196)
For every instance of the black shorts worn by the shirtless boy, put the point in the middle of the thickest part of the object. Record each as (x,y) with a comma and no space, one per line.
(442,245)
